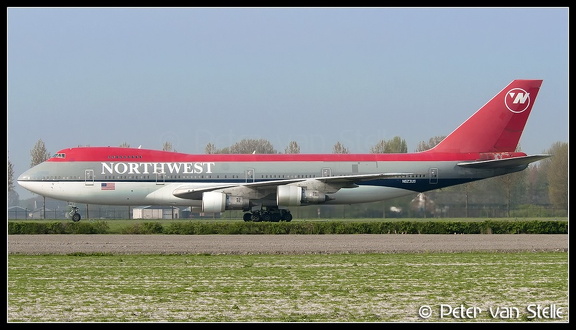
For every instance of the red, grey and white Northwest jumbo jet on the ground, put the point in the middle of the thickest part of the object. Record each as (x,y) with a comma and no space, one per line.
(264,185)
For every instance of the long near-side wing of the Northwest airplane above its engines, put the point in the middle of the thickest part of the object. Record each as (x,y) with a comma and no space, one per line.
(328,184)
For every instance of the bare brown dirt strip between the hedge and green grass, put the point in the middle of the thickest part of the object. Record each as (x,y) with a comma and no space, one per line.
(280,244)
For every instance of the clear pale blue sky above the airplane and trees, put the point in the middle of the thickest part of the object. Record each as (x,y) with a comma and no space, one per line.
(192,76)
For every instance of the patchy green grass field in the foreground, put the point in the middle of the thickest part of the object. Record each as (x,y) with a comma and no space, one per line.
(283,288)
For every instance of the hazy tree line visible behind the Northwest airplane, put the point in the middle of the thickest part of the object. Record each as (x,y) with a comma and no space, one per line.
(544,183)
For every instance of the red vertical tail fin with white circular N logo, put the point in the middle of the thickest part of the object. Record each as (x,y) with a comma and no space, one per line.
(498,125)
